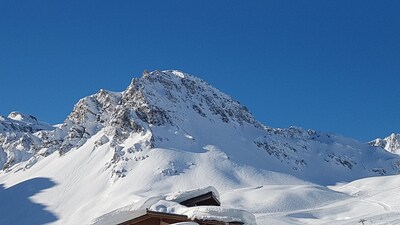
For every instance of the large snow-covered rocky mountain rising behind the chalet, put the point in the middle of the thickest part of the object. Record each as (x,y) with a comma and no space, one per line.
(170,131)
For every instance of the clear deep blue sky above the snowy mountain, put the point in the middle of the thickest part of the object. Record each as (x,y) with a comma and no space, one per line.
(328,65)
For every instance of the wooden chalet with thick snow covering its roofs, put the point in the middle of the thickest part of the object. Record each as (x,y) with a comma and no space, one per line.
(191,201)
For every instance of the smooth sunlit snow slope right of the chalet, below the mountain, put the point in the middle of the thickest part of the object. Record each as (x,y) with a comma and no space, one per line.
(365,201)
